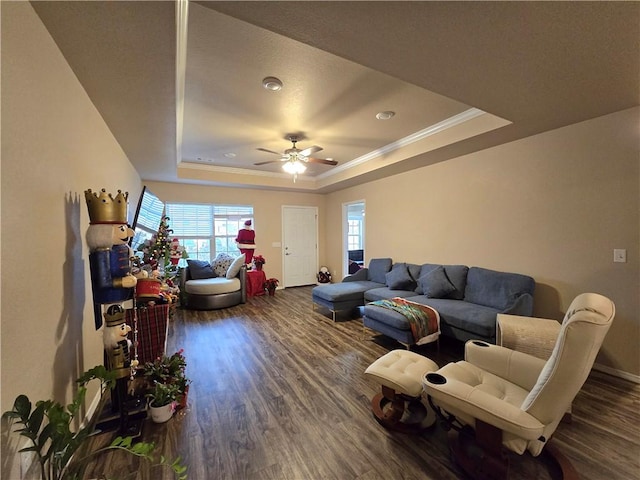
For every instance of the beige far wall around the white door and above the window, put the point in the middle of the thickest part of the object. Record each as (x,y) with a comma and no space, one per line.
(267,209)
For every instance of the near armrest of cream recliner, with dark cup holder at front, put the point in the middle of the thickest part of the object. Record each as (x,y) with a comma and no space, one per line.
(465,400)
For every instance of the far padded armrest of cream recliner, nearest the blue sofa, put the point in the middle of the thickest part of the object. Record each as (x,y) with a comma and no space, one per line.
(516,367)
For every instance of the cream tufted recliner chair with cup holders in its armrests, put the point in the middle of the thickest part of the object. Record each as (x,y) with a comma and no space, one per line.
(499,398)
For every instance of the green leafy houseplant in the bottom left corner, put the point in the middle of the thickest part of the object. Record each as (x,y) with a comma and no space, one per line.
(57,448)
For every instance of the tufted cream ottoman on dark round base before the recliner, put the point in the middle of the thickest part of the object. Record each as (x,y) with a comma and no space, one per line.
(399,406)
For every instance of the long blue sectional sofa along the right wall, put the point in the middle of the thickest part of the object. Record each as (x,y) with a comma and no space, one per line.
(467,298)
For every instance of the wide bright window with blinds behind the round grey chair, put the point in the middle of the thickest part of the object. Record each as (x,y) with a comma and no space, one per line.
(206,230)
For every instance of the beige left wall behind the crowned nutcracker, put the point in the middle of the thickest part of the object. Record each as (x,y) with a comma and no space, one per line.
(55,145)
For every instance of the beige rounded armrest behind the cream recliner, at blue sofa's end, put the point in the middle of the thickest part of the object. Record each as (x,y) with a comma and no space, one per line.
(535,336)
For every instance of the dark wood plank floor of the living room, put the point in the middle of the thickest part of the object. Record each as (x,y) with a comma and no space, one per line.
(279,393)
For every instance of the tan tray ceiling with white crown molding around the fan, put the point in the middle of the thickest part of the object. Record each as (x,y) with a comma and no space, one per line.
(461,76)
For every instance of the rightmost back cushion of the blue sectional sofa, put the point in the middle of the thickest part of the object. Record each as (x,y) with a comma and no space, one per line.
(496,289)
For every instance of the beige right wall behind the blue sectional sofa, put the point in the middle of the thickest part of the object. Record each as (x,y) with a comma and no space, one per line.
(553,206)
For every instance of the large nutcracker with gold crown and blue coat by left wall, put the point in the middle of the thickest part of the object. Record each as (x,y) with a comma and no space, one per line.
(109,253)
